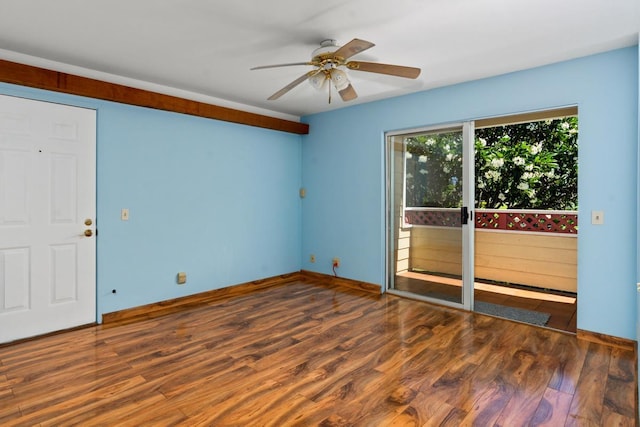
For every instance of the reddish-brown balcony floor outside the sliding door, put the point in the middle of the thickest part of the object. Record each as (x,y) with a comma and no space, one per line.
(562,310)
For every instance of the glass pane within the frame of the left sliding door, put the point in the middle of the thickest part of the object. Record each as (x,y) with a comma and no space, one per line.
(426,229)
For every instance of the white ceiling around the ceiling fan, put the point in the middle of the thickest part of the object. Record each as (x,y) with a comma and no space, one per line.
(203,49)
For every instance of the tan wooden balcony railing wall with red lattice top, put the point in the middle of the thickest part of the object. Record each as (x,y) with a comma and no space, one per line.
(529,247)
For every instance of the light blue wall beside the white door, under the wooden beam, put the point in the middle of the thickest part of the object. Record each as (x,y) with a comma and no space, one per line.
(216,200)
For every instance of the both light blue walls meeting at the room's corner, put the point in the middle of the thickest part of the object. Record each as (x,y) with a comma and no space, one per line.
(220,201)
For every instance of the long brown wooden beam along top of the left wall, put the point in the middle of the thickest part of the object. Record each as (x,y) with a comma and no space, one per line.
(41,78)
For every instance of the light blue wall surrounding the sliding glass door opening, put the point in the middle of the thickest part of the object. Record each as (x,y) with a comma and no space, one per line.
(343,172)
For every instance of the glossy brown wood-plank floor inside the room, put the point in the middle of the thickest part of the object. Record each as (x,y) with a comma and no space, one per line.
(313,354)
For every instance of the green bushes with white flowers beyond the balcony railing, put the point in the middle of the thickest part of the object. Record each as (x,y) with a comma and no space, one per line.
(523,166)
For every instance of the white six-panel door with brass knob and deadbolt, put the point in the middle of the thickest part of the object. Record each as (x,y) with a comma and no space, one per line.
(47,204)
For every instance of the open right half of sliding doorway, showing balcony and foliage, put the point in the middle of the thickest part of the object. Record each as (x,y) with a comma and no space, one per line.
(526,221)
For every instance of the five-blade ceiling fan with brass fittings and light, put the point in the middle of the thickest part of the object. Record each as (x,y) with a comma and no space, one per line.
(328,62)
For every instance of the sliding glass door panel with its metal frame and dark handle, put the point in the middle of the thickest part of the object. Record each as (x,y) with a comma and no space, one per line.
(429,194)
